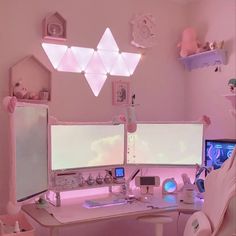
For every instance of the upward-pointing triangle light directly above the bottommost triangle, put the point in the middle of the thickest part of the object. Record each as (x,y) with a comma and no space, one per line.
(95,65)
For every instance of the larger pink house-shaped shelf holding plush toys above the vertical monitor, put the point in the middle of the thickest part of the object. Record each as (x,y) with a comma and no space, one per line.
(30,80)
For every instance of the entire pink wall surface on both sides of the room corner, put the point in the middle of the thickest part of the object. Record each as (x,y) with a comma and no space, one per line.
(163,89)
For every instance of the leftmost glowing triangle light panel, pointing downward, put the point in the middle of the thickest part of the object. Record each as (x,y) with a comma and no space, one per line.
(55,52)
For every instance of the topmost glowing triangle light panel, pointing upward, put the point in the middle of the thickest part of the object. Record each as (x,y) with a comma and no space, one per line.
(108,42)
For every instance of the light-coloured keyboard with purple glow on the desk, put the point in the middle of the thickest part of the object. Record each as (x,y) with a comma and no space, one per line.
(104,202)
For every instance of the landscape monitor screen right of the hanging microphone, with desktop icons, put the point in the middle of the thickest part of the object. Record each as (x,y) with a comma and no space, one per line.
(166,144)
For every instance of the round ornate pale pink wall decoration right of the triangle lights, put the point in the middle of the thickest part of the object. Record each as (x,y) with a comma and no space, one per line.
(144,31)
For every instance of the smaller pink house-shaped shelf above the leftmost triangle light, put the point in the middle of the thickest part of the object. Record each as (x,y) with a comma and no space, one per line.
(54,27)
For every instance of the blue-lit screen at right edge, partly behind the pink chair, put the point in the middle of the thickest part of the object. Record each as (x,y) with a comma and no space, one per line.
(217,151)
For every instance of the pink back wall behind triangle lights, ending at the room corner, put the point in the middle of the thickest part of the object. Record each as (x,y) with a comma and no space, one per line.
(153,81)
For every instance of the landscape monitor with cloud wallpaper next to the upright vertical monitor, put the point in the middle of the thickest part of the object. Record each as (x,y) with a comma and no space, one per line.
(85,145)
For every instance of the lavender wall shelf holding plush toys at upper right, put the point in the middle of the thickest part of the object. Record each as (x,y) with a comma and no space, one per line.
(208,58)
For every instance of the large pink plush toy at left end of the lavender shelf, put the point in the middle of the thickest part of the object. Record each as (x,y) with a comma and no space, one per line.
(189,44)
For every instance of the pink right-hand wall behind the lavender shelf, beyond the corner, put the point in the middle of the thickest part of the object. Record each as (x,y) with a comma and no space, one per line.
(205,88)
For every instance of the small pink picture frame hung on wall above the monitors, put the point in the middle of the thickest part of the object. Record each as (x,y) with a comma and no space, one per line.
(120,92)
